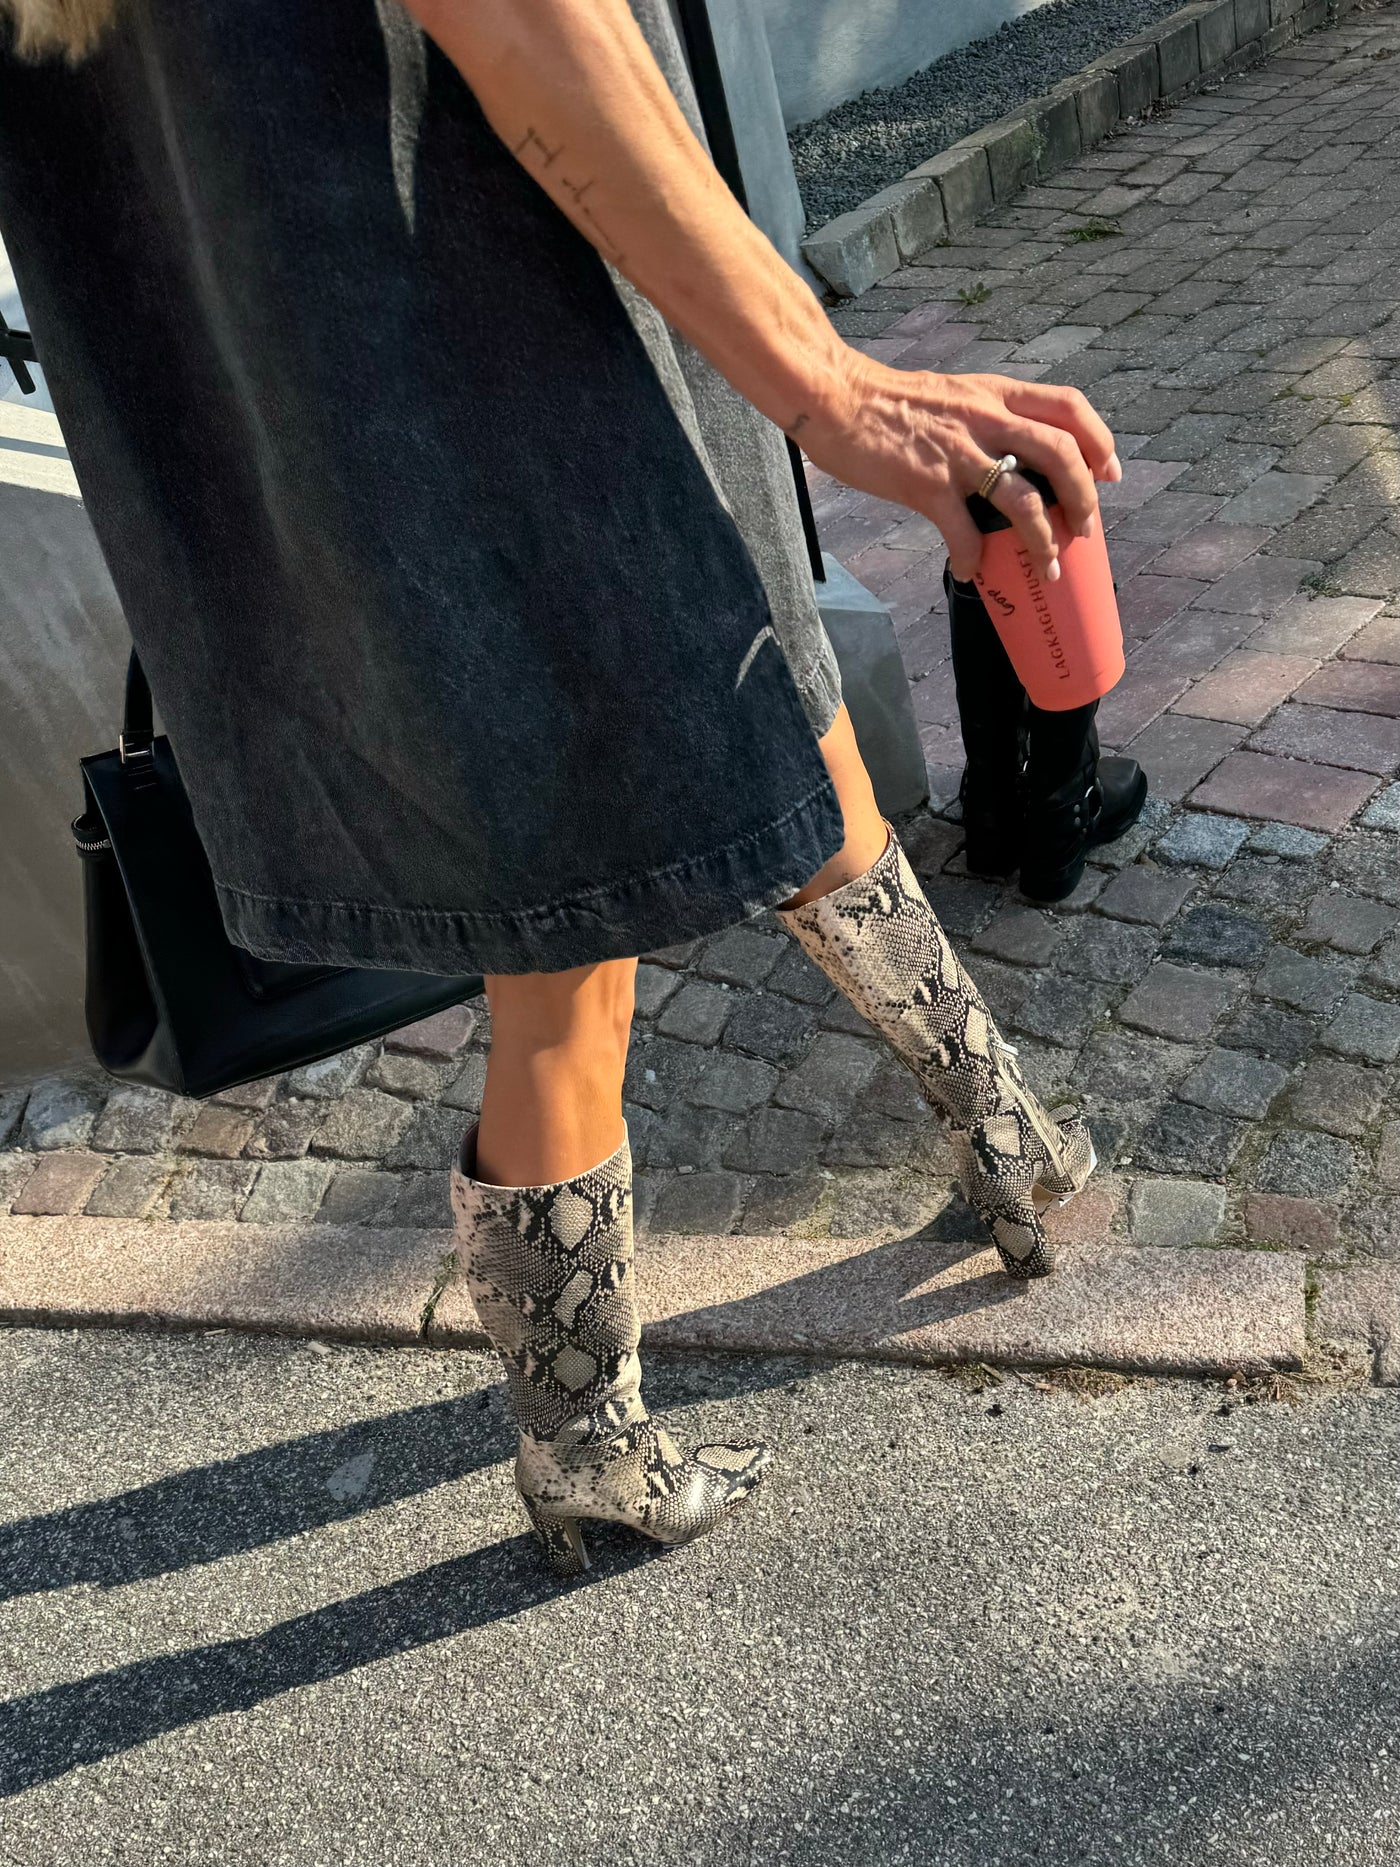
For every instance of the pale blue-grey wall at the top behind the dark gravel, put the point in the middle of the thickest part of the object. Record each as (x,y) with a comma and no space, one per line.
(826,51)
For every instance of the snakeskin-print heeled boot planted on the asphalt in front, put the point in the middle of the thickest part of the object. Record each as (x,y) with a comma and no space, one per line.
(552,1278)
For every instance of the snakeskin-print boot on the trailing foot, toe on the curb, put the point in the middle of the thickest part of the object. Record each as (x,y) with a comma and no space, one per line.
(880,942)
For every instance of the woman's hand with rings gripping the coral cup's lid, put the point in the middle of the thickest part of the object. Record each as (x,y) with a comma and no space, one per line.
(927,442)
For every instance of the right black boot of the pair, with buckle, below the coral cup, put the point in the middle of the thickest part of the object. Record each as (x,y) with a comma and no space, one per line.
(1074,800)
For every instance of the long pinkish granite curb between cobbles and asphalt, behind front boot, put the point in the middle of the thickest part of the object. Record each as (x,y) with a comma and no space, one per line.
(1140,1310)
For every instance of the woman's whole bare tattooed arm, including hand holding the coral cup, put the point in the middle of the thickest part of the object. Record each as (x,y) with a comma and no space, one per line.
(574,92)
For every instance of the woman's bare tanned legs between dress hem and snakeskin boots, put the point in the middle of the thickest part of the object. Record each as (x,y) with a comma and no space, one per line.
(559,1041)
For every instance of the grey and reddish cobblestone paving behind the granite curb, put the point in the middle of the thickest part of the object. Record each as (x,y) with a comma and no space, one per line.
(1224,992)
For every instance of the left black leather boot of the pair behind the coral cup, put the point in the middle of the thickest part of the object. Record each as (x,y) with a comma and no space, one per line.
(992,709)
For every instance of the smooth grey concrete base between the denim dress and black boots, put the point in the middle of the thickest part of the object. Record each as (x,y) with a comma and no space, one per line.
(876,690)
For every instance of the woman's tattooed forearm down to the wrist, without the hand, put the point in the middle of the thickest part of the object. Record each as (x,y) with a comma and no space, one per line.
(572,89)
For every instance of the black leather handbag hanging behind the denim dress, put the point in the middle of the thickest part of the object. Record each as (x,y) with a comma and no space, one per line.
(171,1002)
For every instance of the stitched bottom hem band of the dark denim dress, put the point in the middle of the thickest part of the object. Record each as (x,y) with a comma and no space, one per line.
(617,921)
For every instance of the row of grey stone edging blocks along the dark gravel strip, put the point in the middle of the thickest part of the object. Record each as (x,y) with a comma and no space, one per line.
(949,193)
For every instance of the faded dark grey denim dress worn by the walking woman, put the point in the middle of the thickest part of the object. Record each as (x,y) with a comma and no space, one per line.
(458,643)
